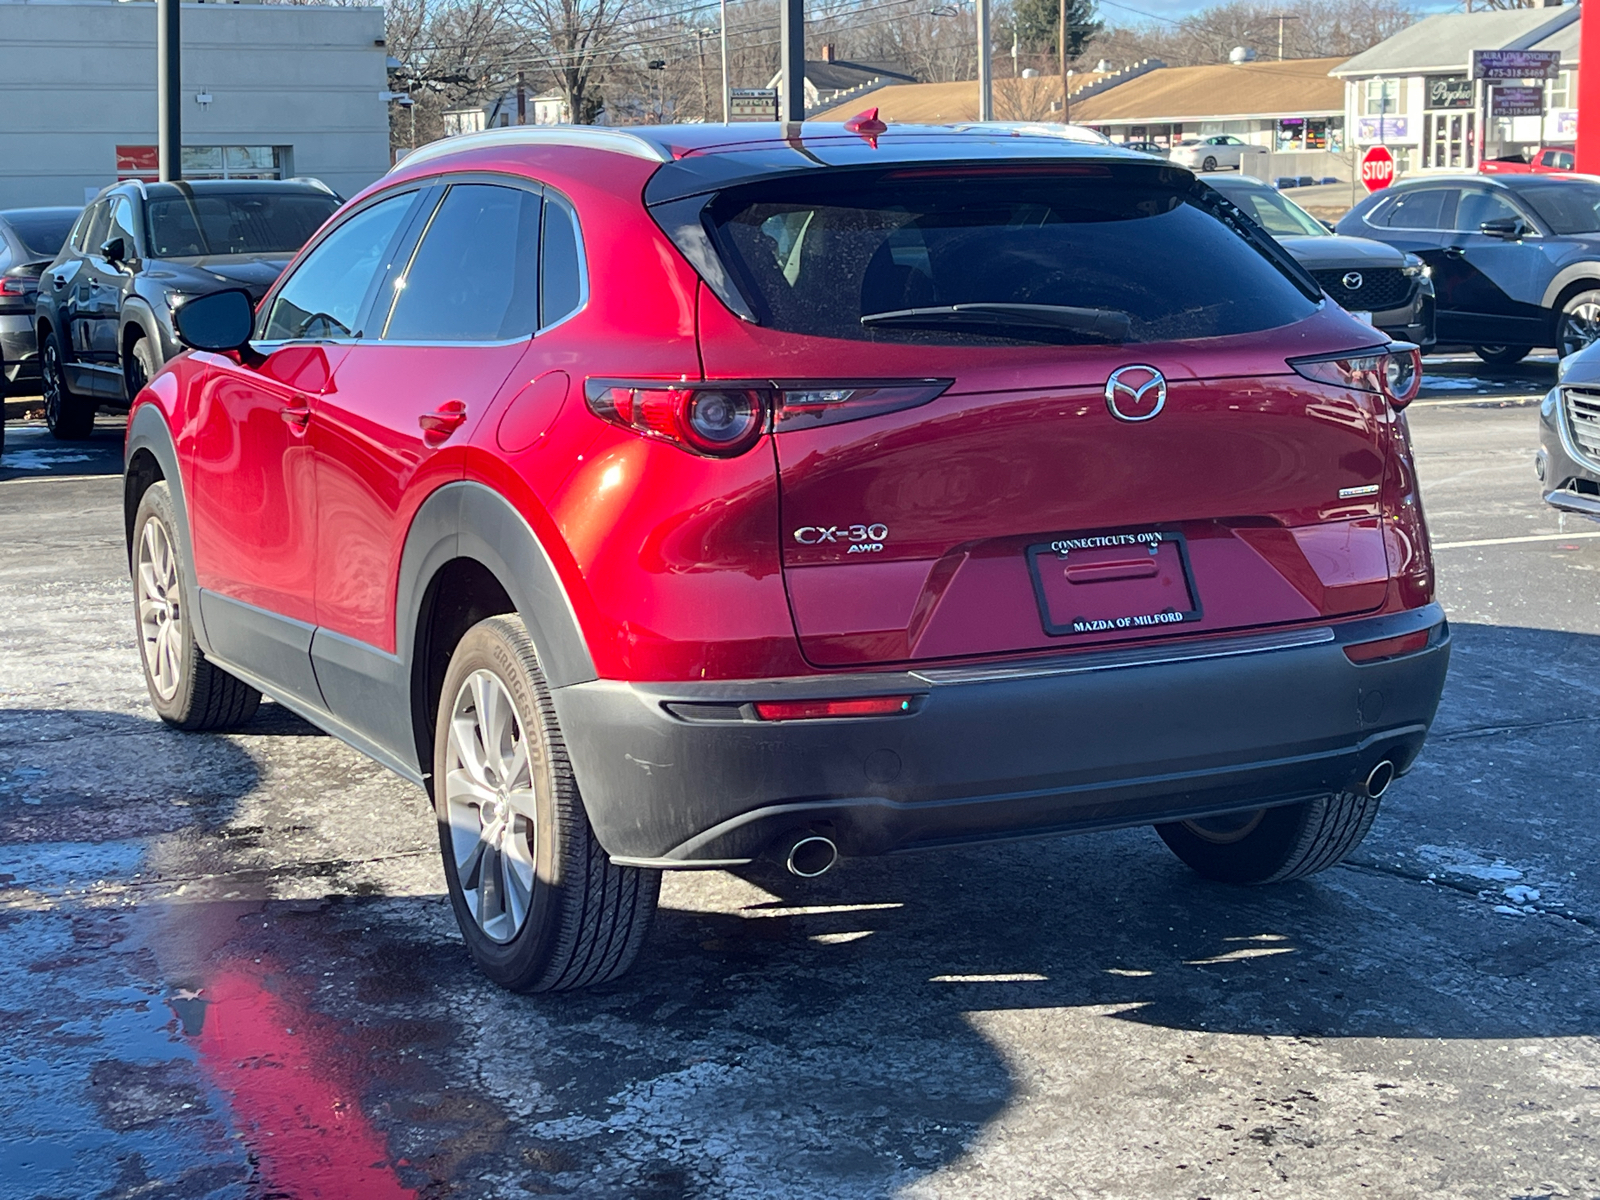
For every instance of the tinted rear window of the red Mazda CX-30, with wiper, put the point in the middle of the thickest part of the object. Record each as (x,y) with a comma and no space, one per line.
(1073,254)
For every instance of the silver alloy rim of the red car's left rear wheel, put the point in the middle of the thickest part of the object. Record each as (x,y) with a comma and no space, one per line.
(490,806)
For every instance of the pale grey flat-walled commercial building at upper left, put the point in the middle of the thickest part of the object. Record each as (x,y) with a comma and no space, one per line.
(268,92)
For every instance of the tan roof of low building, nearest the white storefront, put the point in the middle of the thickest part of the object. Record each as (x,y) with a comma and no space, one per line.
(1222,92)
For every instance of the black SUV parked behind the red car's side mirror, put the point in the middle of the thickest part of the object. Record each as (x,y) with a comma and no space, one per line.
(105,314)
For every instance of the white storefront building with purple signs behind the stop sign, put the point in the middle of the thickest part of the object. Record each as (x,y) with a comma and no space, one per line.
(1417,94)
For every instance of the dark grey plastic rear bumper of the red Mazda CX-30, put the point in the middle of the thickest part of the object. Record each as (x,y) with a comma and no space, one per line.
(1014,750)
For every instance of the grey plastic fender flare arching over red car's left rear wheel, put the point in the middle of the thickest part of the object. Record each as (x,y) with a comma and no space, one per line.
(470,521)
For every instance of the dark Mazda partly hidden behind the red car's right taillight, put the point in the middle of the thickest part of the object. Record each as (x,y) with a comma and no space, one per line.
(1382,286)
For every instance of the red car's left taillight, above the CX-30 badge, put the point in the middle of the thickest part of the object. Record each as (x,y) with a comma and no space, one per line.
(726,418)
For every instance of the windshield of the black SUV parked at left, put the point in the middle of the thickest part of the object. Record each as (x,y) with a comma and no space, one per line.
(234,225)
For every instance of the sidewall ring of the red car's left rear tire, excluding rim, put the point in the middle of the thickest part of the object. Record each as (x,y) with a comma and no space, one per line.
(524,958)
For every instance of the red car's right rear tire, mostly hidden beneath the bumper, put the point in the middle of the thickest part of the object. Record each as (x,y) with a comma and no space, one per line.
(1271,846)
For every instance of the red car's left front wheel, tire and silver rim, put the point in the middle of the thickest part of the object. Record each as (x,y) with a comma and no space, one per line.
(188,690)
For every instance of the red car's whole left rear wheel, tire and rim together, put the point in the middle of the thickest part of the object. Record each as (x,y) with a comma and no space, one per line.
(516,825)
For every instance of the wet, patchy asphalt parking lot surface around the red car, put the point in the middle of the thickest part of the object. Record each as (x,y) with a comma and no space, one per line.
(231,969)
